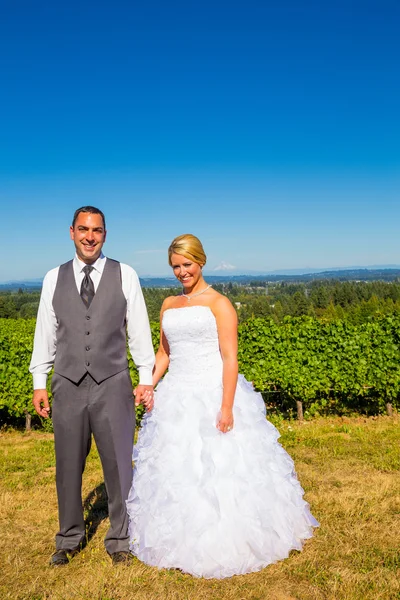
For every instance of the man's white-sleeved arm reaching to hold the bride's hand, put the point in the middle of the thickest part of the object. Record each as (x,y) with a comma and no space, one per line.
(139,334)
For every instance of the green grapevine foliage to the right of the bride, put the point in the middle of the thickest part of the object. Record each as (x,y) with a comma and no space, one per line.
(331,366)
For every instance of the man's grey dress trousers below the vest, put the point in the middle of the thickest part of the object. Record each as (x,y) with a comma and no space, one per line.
(107,411)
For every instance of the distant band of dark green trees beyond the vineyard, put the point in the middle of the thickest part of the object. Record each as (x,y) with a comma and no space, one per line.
(355,302)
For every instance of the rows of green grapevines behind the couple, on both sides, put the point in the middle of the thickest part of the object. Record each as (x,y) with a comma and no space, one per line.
(303,366)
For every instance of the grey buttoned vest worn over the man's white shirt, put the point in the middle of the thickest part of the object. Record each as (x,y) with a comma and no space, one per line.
(90,340)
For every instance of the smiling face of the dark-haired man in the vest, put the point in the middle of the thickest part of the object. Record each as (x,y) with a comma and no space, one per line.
(88,235)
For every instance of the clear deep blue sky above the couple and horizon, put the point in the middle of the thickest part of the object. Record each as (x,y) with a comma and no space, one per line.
(270,130)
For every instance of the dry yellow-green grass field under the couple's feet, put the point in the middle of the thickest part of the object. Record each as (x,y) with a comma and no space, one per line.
(349,469)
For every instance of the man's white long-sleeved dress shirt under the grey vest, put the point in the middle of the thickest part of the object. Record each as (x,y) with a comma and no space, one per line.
(138,328)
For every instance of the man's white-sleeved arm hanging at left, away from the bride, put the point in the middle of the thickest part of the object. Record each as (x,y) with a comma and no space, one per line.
(44,345)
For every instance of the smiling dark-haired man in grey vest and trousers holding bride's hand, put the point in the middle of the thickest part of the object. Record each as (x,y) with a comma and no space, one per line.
(87,307)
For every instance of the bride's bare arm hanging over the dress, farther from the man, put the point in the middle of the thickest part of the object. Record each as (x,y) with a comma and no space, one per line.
(226,319)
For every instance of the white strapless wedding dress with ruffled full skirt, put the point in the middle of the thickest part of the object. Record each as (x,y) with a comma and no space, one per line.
(209,503)
